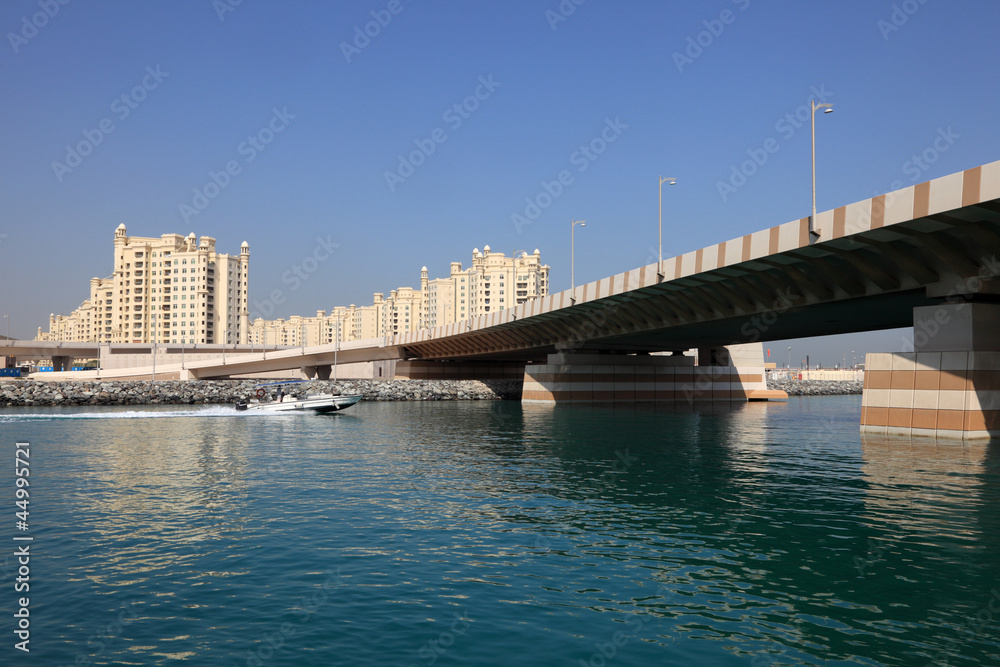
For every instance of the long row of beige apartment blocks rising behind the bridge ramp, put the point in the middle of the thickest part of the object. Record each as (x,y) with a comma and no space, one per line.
(493,282)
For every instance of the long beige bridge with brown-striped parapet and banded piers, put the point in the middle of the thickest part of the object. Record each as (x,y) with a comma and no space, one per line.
(923,256)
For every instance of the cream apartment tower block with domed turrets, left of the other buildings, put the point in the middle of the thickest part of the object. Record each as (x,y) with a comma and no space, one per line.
(171,289)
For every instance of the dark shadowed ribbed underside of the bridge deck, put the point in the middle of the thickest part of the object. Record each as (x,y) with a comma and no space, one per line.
(867,281)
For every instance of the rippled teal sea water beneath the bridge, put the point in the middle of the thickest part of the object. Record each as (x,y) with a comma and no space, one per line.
(496,534)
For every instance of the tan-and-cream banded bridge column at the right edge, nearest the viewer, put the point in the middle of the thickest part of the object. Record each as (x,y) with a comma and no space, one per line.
(949,386)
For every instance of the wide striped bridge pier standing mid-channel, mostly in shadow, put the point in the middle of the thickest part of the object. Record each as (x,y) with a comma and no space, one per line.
(576,377)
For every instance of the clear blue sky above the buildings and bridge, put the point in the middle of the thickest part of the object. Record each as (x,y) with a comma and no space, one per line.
(209,79)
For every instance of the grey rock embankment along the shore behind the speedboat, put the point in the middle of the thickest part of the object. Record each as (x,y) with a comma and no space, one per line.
(134,392)
